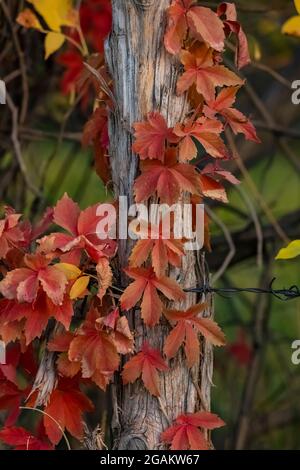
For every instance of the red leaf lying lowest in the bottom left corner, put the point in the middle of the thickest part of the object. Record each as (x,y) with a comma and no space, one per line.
(22,439)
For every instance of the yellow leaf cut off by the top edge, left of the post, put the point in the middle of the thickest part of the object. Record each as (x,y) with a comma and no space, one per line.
(56,13)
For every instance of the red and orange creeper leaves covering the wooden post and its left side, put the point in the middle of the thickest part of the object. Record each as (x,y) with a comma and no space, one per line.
(71,268)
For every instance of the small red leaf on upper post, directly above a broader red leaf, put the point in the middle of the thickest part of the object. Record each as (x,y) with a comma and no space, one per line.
(151,136)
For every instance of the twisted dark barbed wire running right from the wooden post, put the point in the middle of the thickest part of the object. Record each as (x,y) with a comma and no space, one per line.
(284,295)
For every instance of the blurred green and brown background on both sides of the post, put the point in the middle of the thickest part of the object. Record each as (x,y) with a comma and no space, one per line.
(256,386)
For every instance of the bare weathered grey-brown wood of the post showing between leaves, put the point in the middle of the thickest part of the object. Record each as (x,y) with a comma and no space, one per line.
(145,78)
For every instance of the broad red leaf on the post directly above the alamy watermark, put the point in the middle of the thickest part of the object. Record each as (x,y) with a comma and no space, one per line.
(168,179)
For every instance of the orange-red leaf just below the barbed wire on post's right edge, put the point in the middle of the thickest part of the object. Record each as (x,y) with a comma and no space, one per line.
(188,326)
